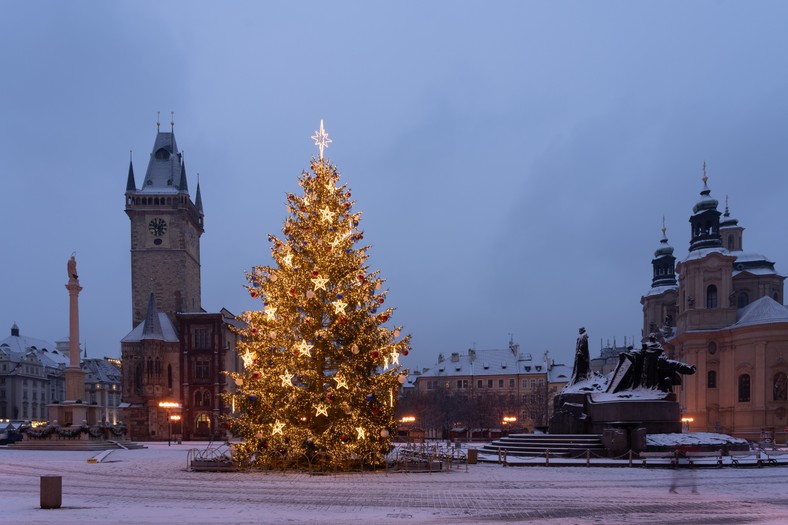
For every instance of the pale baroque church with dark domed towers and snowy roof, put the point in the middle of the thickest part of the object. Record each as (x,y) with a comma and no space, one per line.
(721,309)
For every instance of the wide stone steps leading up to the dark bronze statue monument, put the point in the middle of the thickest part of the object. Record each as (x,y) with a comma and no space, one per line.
(559,445)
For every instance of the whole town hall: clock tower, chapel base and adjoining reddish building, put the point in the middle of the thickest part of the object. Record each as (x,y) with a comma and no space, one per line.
(175,357)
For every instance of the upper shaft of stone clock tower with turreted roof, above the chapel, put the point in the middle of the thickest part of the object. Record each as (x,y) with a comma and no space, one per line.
(166,226)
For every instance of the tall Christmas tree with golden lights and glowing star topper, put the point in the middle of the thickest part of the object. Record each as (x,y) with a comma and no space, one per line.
(321,368)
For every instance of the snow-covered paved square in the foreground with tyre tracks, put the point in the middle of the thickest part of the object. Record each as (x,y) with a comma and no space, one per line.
(154,486)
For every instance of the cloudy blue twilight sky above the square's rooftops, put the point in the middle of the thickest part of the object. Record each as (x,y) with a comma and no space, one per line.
(513,160)
